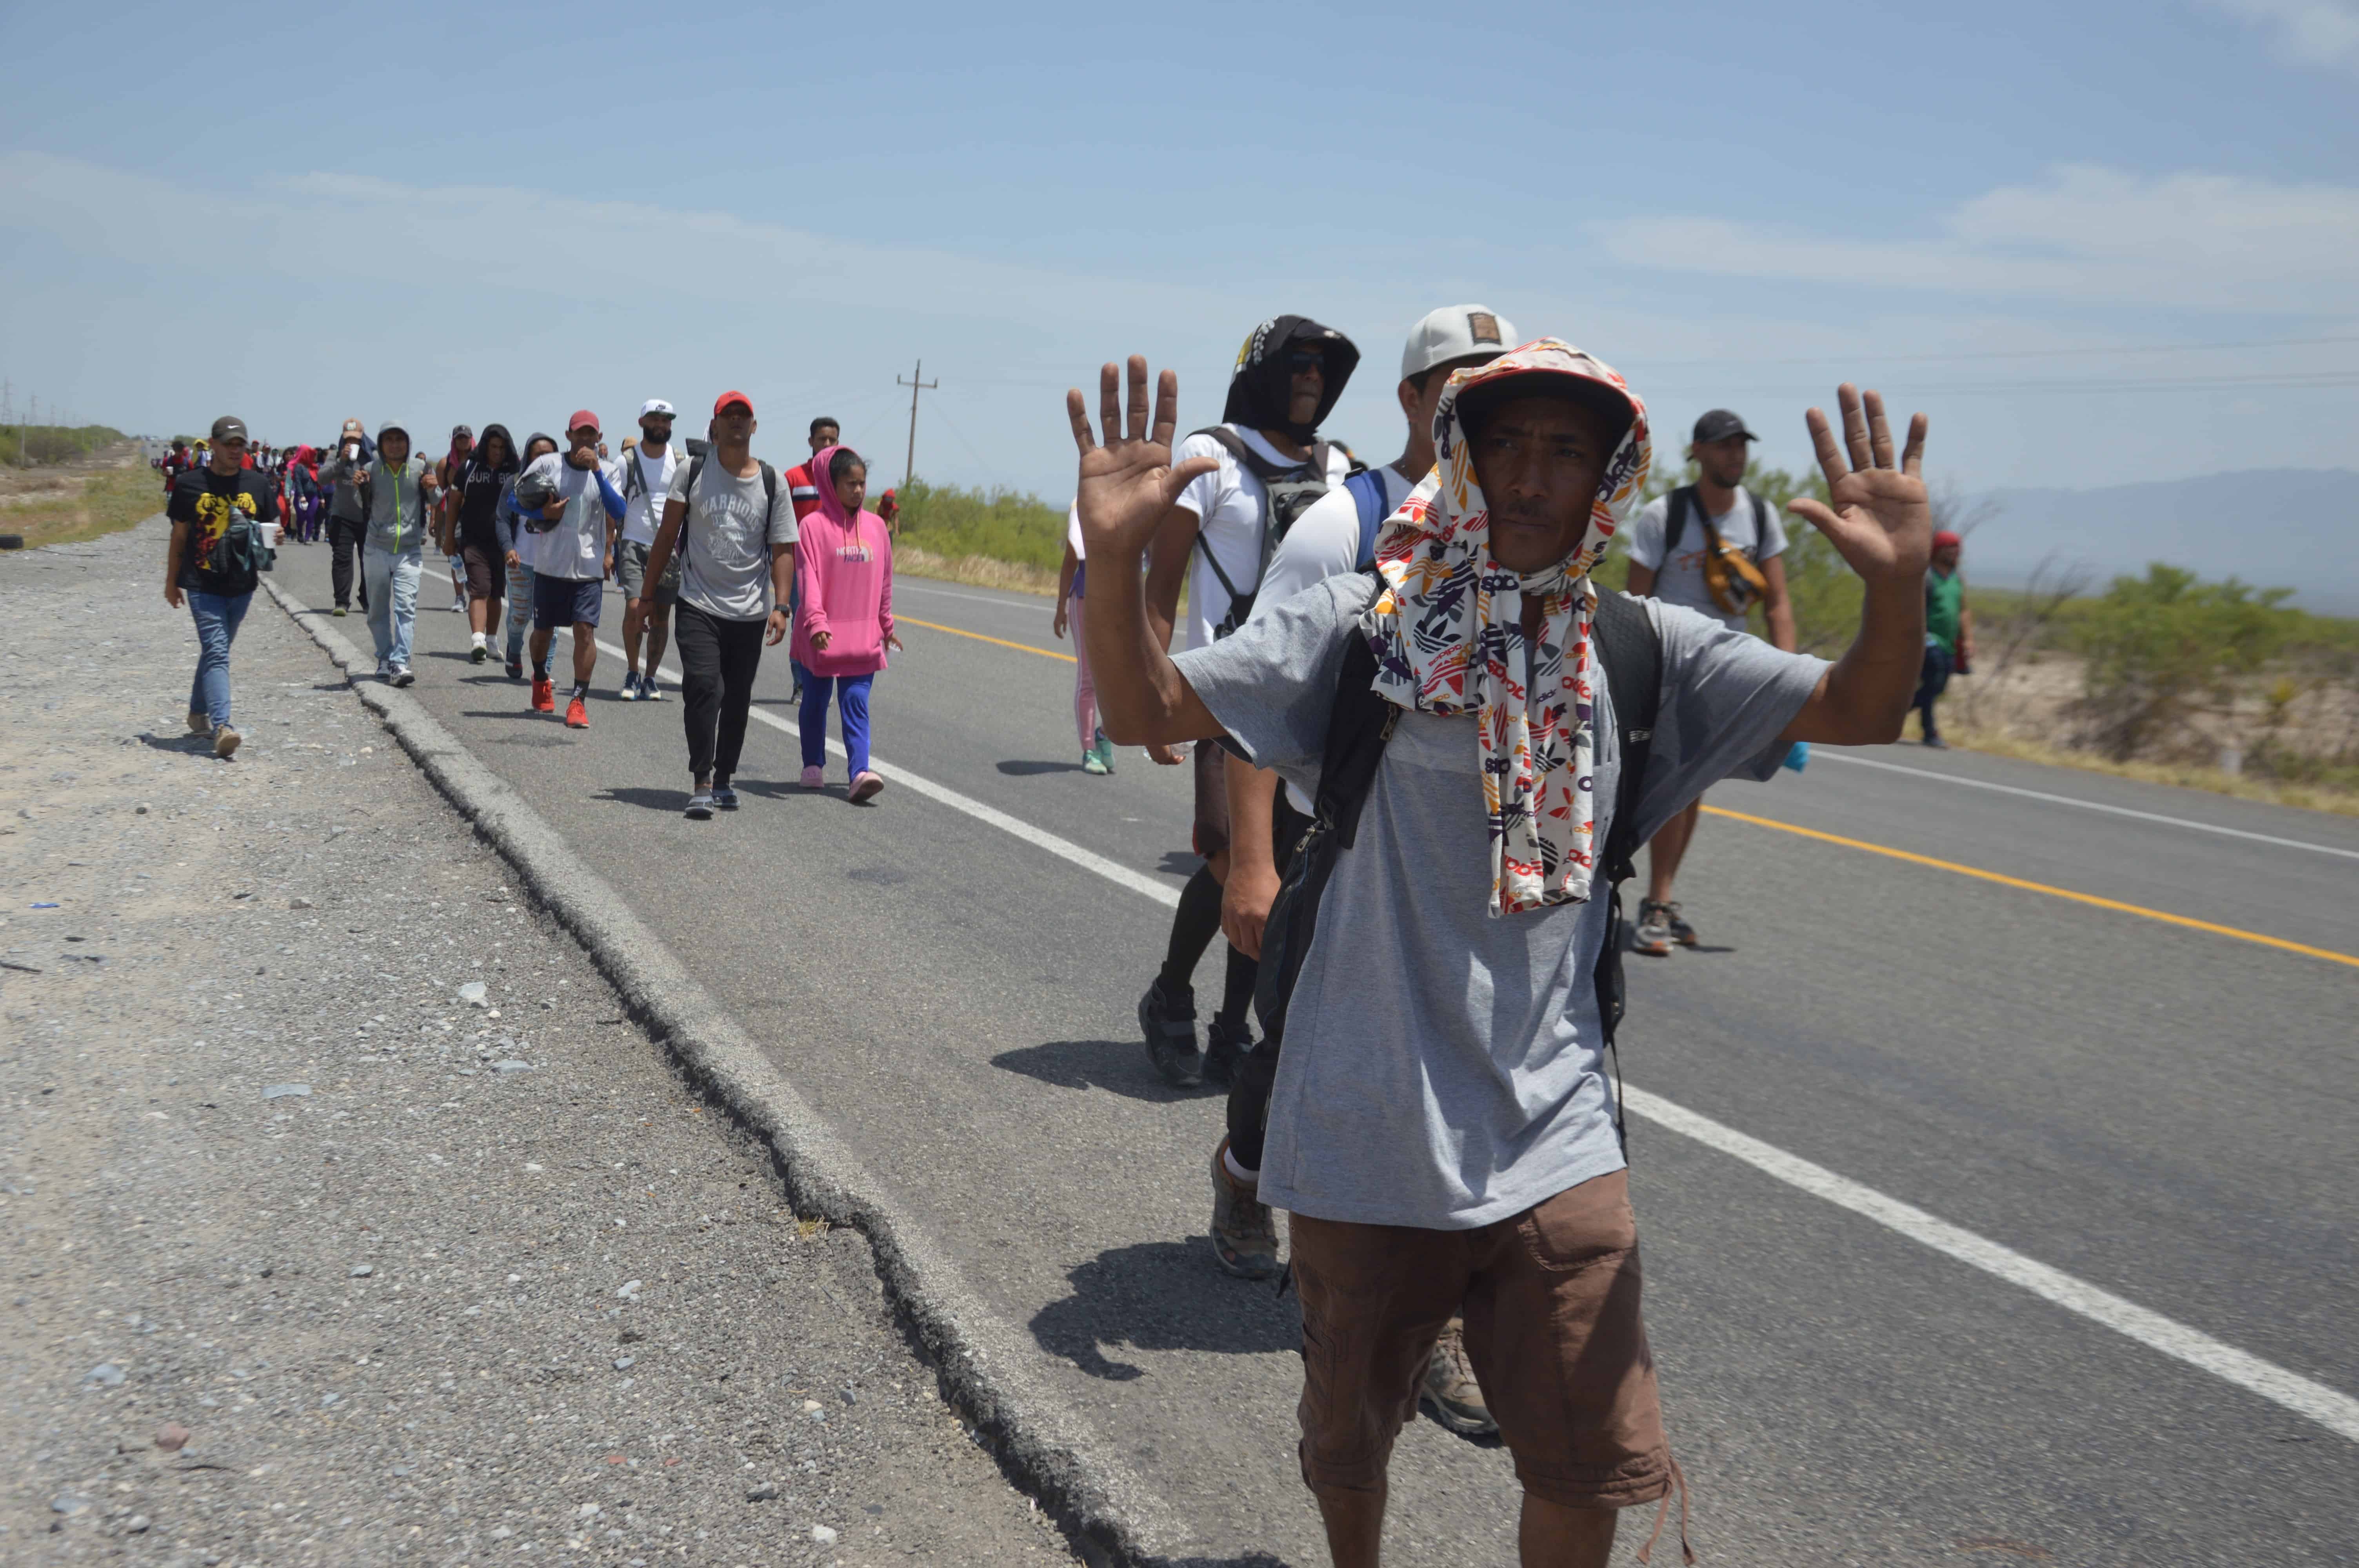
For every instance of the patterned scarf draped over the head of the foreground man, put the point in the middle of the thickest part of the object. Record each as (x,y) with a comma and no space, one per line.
(1450,640)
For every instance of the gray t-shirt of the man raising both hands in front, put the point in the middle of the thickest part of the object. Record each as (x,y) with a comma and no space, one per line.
(1445,1067)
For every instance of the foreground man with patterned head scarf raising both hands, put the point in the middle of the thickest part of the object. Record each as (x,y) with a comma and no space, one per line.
(1443,1128)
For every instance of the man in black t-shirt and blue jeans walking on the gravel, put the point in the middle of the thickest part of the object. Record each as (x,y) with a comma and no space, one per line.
(221,518)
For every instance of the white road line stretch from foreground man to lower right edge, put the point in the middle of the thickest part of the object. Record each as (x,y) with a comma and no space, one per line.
(2150,1329)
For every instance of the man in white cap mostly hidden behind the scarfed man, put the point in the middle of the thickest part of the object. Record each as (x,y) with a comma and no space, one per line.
(1334,539)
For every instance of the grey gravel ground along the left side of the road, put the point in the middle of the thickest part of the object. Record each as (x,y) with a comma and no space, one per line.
(320,1256)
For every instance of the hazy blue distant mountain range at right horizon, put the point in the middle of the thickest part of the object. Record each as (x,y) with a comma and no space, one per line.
(2271,527)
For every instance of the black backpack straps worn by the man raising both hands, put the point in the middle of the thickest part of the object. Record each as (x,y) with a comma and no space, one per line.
(1362,723)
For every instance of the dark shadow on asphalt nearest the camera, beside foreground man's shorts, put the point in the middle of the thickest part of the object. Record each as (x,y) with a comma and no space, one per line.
(1164,1296)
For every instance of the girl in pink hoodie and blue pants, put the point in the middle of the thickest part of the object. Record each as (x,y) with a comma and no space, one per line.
(843,574)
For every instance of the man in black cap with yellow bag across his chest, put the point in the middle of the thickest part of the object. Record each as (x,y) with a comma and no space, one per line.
(1711,548)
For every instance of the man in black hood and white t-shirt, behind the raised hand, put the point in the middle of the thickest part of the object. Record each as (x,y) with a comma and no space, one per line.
(1263,466)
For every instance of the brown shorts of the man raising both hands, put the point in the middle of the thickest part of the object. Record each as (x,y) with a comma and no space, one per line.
(1551,1326)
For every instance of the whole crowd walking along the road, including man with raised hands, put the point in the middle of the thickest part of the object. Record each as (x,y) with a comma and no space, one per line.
(1426,756)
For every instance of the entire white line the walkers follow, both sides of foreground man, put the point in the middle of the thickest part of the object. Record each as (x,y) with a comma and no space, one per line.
(2311,1399)
